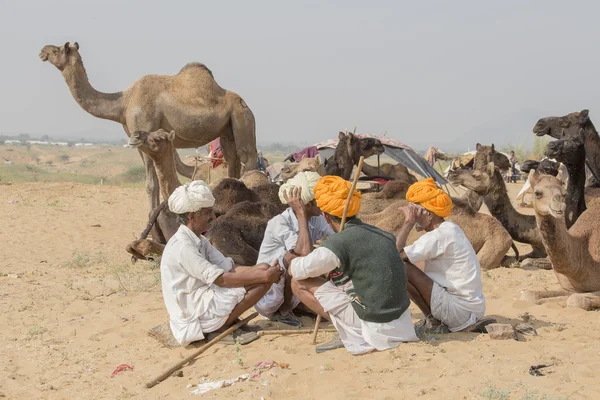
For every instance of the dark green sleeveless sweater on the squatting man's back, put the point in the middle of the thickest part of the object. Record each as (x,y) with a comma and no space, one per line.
(369,259)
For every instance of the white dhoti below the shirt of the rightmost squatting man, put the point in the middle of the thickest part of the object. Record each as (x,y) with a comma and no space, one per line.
(446,308)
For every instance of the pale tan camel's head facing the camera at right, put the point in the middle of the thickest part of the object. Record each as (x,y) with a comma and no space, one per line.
(549,195)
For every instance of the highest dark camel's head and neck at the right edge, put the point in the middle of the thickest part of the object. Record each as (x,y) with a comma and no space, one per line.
(570,125)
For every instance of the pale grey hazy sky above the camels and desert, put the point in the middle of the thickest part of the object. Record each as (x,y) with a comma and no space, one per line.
(429,72)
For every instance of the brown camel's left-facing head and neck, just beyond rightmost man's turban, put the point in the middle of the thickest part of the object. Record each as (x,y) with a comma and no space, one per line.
(491,186)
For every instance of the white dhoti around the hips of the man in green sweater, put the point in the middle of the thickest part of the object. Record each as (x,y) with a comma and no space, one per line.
(360,336)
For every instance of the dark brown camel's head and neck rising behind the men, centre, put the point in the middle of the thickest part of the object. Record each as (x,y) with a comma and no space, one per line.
(348,152)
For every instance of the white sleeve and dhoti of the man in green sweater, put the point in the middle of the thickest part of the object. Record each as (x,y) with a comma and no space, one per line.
(358,336)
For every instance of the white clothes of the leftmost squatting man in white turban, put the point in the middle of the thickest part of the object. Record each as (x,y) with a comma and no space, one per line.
(188,268)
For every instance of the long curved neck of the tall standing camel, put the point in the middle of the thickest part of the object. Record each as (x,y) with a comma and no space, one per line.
(101,105)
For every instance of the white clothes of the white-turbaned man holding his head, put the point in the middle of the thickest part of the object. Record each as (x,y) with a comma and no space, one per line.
(280,237)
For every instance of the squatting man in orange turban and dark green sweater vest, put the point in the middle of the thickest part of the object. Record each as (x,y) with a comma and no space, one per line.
(366,296)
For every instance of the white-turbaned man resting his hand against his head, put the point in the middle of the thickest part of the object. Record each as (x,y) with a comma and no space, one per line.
(283,235)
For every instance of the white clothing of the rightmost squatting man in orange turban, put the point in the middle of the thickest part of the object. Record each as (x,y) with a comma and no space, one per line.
(450,262)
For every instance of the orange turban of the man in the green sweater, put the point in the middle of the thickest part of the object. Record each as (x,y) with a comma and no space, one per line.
(331,193)
